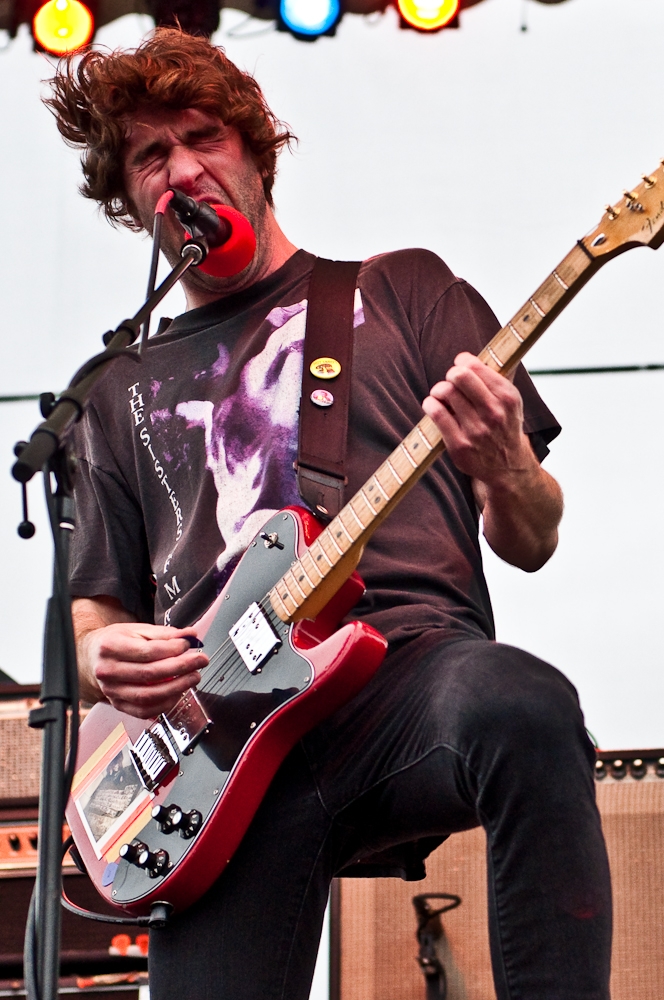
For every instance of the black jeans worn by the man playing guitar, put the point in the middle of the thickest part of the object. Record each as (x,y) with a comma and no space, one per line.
(446,737)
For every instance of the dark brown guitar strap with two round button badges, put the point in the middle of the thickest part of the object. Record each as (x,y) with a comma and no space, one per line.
(328,343)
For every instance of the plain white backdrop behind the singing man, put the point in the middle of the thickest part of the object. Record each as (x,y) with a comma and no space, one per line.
(494,147)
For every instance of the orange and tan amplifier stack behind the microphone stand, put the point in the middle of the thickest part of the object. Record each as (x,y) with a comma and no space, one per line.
(97,959)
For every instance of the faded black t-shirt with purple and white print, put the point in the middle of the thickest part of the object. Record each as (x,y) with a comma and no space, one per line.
(184,456)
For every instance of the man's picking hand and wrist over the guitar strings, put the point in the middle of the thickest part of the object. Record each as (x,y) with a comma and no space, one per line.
(138,668)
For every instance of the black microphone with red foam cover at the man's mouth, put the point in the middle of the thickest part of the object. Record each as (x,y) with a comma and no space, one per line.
(229,234)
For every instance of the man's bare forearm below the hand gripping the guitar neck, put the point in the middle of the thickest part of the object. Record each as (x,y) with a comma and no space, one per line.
(521,517)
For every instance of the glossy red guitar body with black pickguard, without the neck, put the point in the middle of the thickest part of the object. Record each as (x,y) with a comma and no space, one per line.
(253,716)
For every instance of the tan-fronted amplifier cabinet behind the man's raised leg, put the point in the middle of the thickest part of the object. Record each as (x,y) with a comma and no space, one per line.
(374,948)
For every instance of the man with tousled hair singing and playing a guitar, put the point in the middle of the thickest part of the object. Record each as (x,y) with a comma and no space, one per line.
(182,460)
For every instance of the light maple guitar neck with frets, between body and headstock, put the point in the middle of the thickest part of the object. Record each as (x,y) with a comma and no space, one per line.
(316,576)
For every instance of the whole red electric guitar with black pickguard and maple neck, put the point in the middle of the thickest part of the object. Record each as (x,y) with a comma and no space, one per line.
(157,812)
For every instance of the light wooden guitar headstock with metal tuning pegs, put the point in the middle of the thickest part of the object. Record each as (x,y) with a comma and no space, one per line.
(637,219)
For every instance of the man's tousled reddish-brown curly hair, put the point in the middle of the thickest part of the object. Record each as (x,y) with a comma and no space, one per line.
(93,97)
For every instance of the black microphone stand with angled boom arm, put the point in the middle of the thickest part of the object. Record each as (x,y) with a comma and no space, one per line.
(59,692)
